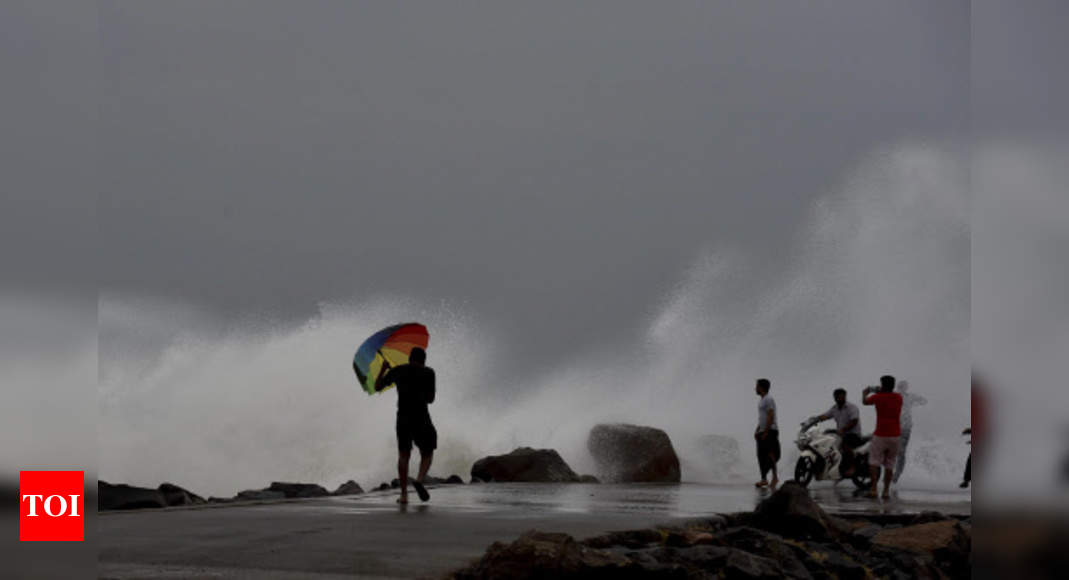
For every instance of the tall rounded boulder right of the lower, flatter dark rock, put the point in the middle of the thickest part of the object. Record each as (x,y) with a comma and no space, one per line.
(633,453)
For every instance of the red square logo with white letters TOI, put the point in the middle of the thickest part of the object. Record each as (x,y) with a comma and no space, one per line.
(52,507)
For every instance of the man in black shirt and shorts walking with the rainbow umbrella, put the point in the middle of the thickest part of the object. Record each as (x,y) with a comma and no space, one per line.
(415,383)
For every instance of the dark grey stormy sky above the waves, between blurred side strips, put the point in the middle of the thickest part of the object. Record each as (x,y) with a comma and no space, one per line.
(553,168)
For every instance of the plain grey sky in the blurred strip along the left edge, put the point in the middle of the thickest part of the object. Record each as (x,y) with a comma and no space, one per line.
(48,149)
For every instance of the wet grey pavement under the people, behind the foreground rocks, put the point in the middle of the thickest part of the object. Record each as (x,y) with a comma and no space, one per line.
(371,536)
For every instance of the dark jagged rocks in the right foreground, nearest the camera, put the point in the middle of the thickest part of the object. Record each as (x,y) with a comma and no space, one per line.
(811,545)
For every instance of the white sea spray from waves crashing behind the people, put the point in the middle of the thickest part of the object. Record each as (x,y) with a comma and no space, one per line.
(877,283)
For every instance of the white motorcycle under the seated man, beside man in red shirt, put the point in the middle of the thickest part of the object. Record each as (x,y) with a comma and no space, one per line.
(822,460)
